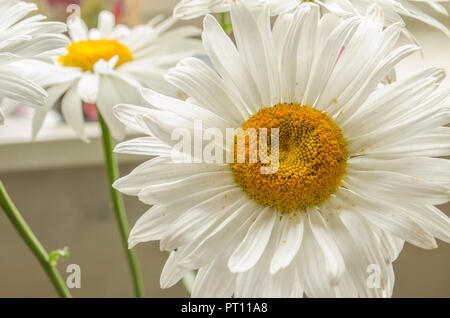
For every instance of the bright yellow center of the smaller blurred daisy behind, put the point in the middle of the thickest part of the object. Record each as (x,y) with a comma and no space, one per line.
(84,54)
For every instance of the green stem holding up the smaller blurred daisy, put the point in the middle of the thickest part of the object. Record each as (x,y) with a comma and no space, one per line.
(112,171)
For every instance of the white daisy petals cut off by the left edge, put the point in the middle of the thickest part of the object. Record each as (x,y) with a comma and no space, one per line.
(23,37)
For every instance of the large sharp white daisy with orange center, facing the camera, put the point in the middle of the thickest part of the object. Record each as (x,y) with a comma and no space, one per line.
(357,173)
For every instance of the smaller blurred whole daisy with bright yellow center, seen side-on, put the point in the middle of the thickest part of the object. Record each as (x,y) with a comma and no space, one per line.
(107,65)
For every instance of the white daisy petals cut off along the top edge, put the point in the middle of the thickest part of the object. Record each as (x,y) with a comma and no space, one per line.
(394,9)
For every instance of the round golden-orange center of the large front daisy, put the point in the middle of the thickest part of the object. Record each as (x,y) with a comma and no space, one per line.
(312,156)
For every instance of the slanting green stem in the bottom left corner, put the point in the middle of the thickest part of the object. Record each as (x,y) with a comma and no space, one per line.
(32,242)
